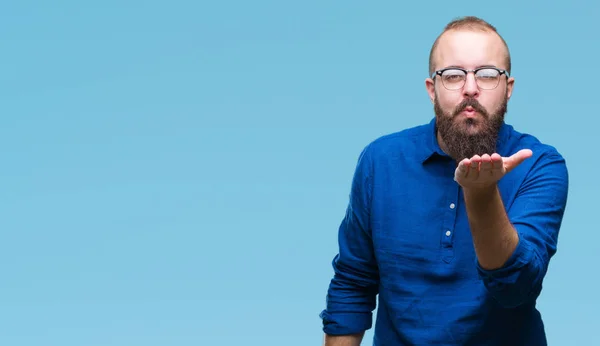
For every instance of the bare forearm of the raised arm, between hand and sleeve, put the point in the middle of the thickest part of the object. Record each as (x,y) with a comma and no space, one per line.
(494,237)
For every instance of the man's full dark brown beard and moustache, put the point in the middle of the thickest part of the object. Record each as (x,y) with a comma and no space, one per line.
(466,137)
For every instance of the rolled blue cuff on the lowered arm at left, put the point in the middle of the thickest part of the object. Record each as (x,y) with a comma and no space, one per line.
(346,323)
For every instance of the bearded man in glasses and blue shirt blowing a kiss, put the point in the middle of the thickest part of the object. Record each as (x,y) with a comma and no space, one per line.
(452,223)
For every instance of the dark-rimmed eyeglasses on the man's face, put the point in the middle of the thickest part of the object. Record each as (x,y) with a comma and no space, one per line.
(454,78)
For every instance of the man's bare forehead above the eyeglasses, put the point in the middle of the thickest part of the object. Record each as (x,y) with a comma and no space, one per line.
(470,49)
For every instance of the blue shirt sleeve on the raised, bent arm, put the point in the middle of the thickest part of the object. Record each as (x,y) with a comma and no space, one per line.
(536,214)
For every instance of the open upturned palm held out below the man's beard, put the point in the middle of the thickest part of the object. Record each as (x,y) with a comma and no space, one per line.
(485,171)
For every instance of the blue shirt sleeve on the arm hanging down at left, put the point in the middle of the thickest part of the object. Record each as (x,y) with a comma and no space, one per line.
(351,297)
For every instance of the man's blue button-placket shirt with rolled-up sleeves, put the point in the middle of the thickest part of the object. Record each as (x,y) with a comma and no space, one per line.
(405,237)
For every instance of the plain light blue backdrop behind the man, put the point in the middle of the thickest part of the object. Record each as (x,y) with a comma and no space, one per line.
(174,173)
